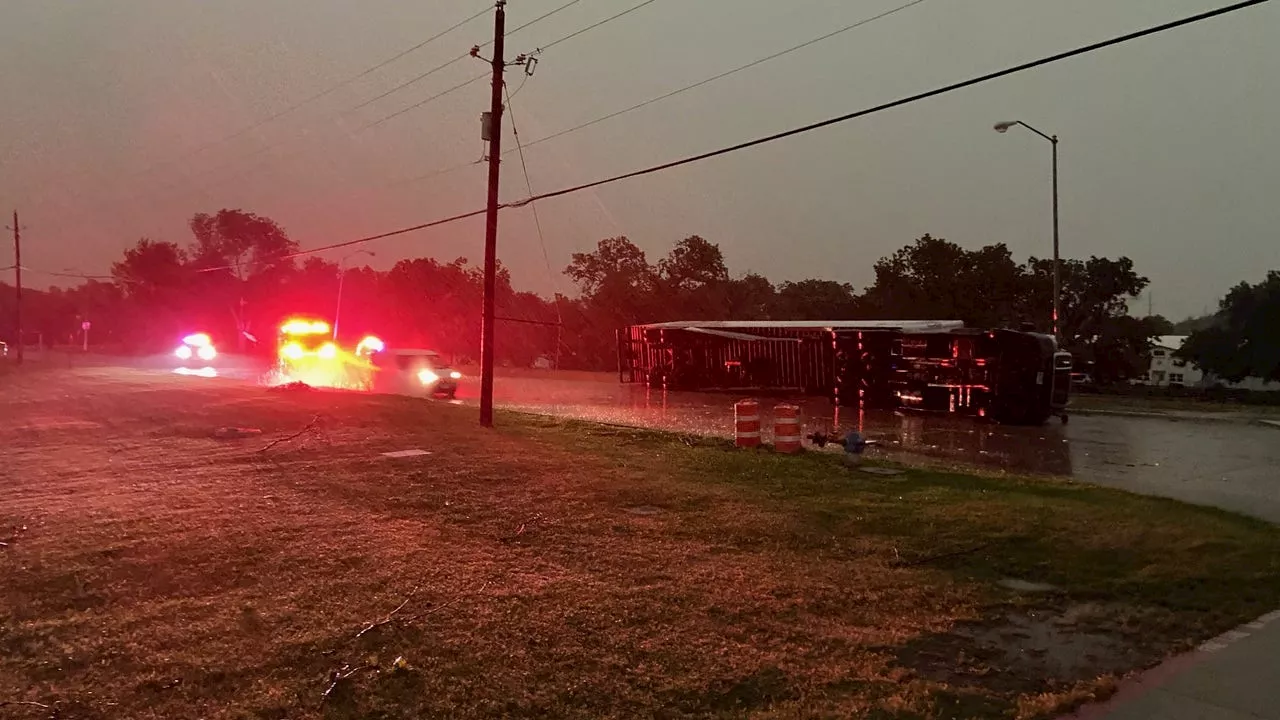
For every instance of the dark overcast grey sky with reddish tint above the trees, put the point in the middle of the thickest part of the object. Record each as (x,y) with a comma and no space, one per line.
(1169,151)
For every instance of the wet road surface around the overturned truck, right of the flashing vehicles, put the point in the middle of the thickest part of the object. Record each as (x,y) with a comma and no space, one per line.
(1229,466)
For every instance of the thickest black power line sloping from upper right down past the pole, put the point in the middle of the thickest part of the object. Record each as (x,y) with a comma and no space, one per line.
(908,101)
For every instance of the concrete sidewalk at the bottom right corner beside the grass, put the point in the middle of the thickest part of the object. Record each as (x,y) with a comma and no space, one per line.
(1233,677)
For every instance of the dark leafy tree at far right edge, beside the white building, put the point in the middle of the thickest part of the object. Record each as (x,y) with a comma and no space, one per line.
(1246,339)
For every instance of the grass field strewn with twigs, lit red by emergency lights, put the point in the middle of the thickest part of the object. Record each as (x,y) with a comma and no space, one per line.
(556,569)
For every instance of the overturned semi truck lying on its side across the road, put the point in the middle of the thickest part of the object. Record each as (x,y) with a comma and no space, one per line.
(931,366)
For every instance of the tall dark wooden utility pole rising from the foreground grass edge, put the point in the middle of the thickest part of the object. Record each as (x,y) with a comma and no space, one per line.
(491,233)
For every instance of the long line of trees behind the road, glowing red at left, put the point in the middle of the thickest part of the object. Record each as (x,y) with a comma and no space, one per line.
(239,276)
